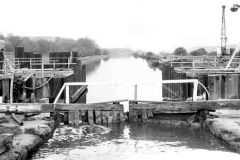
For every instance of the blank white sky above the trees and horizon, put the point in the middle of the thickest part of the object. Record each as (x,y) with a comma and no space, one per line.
(149,25)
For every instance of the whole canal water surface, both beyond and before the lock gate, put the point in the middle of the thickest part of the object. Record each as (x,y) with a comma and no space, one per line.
(129,140)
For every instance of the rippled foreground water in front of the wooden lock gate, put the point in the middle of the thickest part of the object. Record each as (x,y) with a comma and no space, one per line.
(128,141)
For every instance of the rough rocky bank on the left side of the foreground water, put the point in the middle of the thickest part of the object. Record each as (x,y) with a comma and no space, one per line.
(27,138)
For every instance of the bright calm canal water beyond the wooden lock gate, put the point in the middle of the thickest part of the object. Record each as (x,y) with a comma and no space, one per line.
(125,70)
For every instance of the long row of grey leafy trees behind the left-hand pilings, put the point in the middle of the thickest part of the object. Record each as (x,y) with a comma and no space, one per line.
(84,46)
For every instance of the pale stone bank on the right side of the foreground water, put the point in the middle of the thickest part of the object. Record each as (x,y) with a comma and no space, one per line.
(226,127)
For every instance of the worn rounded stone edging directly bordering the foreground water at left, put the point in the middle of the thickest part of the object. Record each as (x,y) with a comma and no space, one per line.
(35,132)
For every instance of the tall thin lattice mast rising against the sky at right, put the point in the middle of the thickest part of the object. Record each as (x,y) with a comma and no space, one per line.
(223,33)
